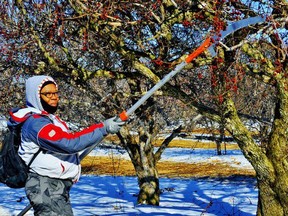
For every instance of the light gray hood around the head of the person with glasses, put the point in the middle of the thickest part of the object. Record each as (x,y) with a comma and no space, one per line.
(33,87)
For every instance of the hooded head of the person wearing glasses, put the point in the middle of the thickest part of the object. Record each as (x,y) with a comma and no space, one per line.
(42,93)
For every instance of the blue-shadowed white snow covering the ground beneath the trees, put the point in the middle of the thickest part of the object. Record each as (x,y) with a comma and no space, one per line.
(108,195)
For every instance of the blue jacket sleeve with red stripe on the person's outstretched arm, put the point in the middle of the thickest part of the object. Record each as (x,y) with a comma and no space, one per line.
(51,137)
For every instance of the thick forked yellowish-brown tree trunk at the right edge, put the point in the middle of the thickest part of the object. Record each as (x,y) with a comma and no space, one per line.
(271,166)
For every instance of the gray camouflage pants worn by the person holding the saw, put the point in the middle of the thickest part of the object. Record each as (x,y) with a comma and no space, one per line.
(49,196)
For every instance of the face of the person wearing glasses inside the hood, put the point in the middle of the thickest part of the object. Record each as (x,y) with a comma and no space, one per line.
(49,94)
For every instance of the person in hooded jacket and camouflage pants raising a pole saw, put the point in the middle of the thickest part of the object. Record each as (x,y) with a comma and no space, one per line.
(44,136)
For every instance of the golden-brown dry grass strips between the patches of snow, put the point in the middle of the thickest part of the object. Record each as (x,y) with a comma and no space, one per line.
(120,167)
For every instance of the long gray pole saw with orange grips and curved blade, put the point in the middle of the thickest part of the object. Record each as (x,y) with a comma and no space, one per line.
(209,44)
